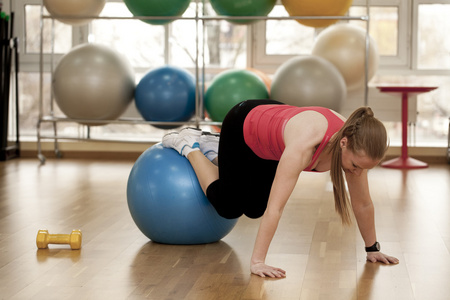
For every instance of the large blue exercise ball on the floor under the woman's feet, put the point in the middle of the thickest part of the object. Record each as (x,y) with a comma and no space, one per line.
(167,203)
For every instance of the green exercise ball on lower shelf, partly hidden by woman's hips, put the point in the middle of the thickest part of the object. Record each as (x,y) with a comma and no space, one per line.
(231,87)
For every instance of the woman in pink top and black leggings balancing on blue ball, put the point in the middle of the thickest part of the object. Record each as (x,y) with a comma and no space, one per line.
(264,146)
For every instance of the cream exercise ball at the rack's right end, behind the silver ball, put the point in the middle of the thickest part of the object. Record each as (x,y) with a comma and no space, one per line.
(344,45)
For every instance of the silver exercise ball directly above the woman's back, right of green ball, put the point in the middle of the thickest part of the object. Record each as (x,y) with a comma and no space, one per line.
(309,81)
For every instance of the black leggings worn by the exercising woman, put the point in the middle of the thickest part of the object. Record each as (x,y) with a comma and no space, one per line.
(245,179)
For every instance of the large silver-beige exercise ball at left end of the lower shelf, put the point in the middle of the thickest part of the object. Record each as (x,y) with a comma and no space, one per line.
(93,82)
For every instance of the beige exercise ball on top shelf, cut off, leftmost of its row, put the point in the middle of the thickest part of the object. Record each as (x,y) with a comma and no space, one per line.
(74,8)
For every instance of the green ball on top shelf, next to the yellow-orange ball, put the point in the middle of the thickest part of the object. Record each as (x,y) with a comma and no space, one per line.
(237,8)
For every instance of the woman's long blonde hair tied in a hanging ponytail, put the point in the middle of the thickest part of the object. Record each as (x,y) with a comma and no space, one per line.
(364,132)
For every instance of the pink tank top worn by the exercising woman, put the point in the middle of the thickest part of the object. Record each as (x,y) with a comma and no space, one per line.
(264,128)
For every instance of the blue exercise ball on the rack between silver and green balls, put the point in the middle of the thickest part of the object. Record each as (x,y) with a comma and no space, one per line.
(166,94)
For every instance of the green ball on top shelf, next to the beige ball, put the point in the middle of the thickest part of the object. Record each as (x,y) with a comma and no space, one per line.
(157,8)
